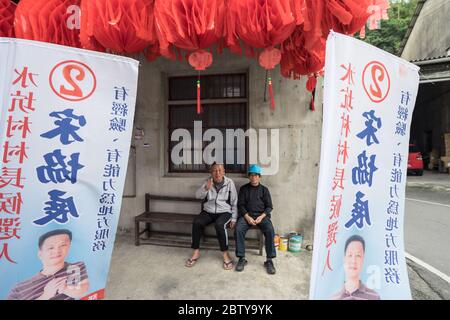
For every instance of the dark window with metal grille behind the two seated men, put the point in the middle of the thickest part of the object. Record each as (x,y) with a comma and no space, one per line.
(224,106)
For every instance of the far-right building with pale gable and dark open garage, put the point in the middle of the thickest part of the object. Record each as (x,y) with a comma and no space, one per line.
(427,44)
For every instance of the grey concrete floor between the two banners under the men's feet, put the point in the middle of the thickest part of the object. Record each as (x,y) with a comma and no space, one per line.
(157,272)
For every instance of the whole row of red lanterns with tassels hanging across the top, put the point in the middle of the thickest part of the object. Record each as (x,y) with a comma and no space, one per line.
(287,32)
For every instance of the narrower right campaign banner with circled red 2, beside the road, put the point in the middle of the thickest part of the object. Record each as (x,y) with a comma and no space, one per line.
(369,98)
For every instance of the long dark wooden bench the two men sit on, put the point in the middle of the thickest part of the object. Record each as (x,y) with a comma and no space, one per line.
(148,217)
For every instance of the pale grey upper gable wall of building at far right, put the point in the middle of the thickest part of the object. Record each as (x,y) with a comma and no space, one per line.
(430,36)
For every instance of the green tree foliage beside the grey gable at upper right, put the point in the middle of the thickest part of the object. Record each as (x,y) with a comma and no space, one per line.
(390,35)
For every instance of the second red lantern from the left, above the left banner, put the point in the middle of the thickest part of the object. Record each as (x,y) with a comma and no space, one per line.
(54,21)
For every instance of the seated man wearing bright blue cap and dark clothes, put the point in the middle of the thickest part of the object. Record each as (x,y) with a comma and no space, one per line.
(254,209)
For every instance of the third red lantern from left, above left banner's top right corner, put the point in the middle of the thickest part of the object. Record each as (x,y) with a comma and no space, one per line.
(121,26)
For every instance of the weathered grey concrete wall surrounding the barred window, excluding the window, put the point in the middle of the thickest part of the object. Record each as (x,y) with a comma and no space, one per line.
(293,188)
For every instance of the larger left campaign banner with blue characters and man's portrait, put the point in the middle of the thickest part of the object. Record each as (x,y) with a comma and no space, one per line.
(66,121)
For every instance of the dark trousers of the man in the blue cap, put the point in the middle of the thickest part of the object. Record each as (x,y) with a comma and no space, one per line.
(267,229)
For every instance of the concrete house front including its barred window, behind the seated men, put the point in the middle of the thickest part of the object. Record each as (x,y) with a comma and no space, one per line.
(234,90)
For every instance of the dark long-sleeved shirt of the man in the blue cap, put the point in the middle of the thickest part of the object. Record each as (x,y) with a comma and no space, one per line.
(254,200)
